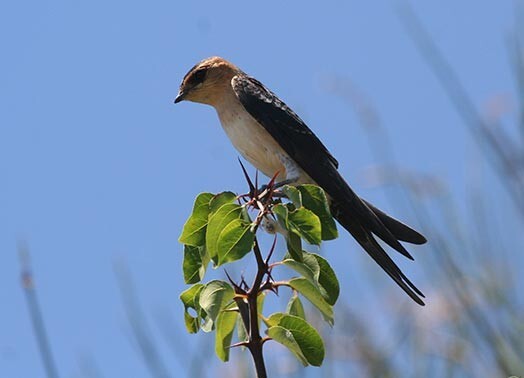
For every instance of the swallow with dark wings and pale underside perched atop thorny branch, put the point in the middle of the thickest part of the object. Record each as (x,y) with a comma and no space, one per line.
(273,138)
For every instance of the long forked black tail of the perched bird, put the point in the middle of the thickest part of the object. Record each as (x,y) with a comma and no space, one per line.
(365,238)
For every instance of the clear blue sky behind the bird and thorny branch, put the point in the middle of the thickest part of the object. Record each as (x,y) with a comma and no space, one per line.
(98,166)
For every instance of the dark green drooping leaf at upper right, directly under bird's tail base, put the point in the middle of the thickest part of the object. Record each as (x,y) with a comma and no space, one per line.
(314,199)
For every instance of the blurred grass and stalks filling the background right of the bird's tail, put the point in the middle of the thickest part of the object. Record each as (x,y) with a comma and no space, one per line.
(478,327)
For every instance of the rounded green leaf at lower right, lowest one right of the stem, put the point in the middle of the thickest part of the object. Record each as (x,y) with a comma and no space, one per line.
(300,338)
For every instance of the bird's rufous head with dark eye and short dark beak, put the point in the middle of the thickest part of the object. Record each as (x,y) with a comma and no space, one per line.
(206,81)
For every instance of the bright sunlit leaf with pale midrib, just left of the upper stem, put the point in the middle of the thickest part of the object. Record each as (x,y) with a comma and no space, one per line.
(235,241)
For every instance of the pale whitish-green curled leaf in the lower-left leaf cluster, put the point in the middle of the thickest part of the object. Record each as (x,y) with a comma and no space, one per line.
(214,297)
